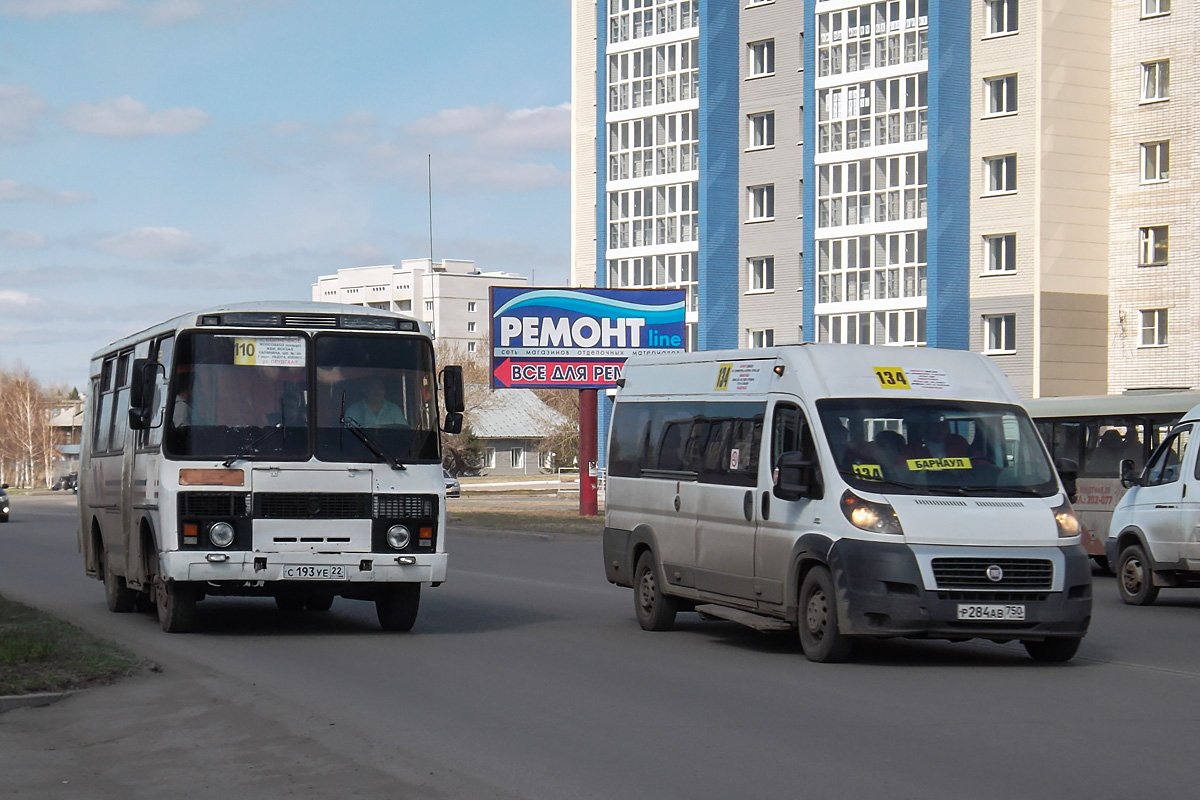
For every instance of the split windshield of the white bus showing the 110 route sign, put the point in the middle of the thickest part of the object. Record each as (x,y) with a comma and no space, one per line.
(260,396)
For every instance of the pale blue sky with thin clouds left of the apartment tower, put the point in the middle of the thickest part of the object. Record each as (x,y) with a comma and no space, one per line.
(163,157)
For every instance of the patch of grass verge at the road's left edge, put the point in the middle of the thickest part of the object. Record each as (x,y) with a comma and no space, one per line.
(40,653)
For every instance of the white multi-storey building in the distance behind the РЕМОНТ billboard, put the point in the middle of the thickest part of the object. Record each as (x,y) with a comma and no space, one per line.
(452,296)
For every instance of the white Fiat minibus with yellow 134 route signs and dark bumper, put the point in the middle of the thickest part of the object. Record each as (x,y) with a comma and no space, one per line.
(847,491)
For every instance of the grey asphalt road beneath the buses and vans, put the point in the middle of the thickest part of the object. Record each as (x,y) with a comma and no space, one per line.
(529,677)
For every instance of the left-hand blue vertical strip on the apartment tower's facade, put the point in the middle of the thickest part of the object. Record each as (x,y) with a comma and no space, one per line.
(719,225)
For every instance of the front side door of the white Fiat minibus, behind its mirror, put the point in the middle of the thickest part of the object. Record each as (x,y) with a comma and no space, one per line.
(781,522)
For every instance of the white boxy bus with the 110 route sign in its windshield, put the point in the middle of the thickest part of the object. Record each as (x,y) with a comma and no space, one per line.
(285,450)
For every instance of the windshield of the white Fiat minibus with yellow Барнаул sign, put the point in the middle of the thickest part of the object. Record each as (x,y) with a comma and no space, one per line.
(932,447)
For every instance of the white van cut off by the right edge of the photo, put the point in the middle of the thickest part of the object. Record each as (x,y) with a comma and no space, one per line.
(1155,537)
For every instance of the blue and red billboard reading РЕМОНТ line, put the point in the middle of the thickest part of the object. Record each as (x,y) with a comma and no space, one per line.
(579,339)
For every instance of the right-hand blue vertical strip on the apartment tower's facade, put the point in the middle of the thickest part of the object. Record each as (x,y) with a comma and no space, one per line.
(950,177)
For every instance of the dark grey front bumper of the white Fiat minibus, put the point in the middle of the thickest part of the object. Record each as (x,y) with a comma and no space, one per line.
(884,592)
